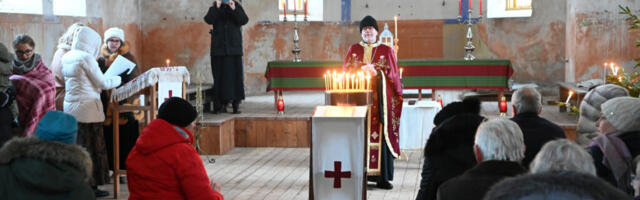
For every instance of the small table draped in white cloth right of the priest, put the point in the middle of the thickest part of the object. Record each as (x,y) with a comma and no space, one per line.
(416,123)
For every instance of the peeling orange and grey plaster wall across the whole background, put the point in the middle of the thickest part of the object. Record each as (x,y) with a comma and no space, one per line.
(584,32)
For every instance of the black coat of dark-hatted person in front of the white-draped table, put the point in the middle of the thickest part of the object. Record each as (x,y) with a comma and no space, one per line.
(448,153)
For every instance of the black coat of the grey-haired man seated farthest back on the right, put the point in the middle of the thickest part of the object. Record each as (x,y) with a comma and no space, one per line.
(536,132)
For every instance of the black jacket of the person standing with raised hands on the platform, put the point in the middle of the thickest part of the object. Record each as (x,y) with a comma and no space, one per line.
(226,36)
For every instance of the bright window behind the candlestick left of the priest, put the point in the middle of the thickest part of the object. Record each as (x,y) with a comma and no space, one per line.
(313,9)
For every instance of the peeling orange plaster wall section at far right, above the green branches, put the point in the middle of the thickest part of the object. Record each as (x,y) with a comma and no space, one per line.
(596,33)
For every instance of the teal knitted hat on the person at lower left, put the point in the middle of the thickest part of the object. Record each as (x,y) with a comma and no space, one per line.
(57,126)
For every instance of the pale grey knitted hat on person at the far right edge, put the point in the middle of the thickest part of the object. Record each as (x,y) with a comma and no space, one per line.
(623,113)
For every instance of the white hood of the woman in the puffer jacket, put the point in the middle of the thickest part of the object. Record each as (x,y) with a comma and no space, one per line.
(87,40)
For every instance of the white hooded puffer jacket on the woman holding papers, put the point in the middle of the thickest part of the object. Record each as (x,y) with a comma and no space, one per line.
(83,78)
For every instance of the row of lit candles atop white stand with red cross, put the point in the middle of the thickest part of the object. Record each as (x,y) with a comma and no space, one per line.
(347,81)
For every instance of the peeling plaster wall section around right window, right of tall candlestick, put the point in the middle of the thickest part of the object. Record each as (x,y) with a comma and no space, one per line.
(535,45)
